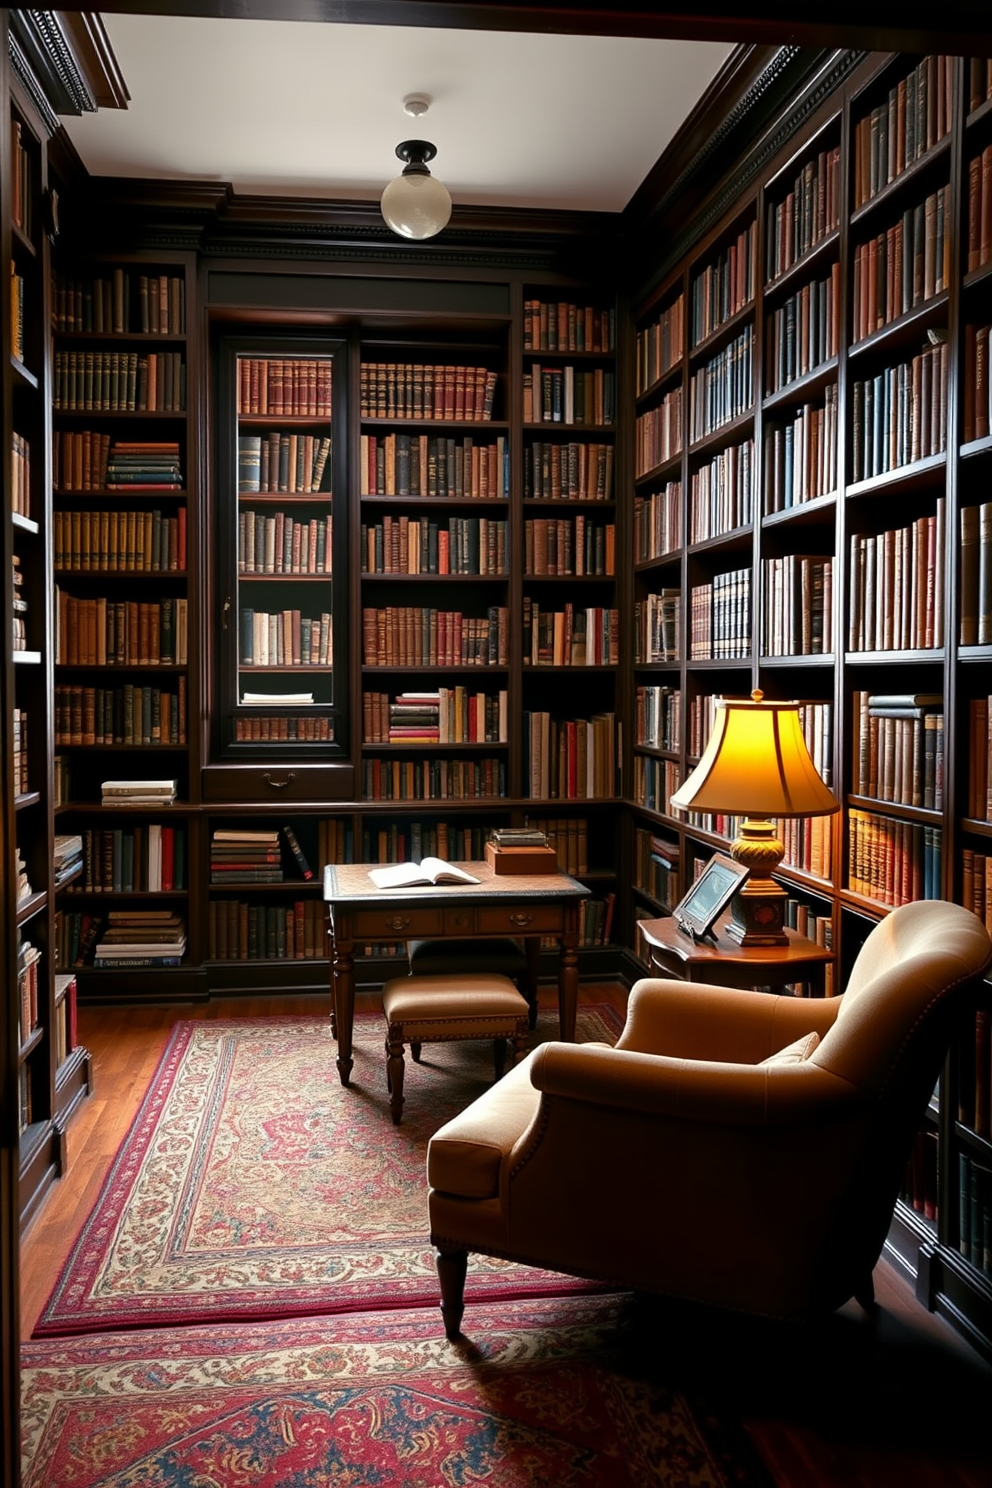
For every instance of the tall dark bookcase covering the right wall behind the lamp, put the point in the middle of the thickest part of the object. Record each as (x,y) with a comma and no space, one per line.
(811,517)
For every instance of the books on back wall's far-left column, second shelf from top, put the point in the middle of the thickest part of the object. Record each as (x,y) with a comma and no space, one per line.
(120,382)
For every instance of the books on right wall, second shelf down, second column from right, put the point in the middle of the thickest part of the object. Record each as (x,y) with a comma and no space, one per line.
(904,267)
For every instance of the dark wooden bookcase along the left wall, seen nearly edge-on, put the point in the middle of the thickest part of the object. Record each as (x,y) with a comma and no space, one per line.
(53,1071)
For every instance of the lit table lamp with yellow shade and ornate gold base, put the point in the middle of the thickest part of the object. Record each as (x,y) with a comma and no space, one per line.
(756,767)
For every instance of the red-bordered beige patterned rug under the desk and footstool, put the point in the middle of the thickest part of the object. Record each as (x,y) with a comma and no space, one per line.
(254,1185)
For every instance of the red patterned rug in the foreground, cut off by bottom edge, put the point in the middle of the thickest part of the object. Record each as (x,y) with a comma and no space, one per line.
(548,1392)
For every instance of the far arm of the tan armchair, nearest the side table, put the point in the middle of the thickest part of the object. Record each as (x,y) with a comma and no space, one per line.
(700,1022)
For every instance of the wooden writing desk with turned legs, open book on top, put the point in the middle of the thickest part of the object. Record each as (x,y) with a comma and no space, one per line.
(526,905)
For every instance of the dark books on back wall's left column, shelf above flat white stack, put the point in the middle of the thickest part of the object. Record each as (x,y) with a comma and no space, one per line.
(126,715)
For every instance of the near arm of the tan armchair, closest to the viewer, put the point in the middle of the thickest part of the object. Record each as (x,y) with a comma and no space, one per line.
(689,1090)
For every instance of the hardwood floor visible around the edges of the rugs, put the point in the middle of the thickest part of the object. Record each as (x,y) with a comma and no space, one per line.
(896,1401)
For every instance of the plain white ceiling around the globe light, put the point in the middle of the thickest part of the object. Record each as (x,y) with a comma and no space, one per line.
(316,109)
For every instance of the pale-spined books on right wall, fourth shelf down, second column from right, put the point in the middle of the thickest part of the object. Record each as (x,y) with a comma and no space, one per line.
(896,597)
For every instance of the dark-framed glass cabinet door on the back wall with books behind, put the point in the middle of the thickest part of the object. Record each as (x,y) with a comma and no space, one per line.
(282,666)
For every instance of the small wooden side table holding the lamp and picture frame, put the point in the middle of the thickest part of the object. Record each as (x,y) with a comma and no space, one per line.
(727,963)
